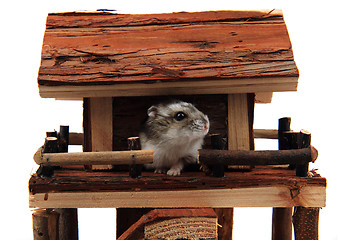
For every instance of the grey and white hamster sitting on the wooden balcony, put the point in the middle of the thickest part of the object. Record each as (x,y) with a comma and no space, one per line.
(175,131)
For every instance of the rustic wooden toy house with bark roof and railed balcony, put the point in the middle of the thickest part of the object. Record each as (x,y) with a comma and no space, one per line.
(223,62)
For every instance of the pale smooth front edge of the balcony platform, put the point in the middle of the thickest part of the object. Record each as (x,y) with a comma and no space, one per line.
(272,196)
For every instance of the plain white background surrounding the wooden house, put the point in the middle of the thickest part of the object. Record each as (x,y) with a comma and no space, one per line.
(325,38)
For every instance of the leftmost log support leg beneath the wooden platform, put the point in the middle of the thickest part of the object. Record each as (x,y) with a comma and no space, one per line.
(45,224)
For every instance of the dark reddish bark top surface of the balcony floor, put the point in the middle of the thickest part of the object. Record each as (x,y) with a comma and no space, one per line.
(80,181)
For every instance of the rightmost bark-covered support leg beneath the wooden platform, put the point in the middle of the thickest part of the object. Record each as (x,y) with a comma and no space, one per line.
(306,223)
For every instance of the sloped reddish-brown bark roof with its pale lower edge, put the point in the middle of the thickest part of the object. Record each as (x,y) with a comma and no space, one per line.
(107,54)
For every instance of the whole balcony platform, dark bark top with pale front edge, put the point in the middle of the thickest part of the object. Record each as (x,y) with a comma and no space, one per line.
(262,187)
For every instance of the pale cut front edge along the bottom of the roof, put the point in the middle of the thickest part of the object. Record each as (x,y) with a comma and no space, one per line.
(156,88)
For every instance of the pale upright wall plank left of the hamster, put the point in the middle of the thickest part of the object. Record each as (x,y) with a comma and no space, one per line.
(101,126)
